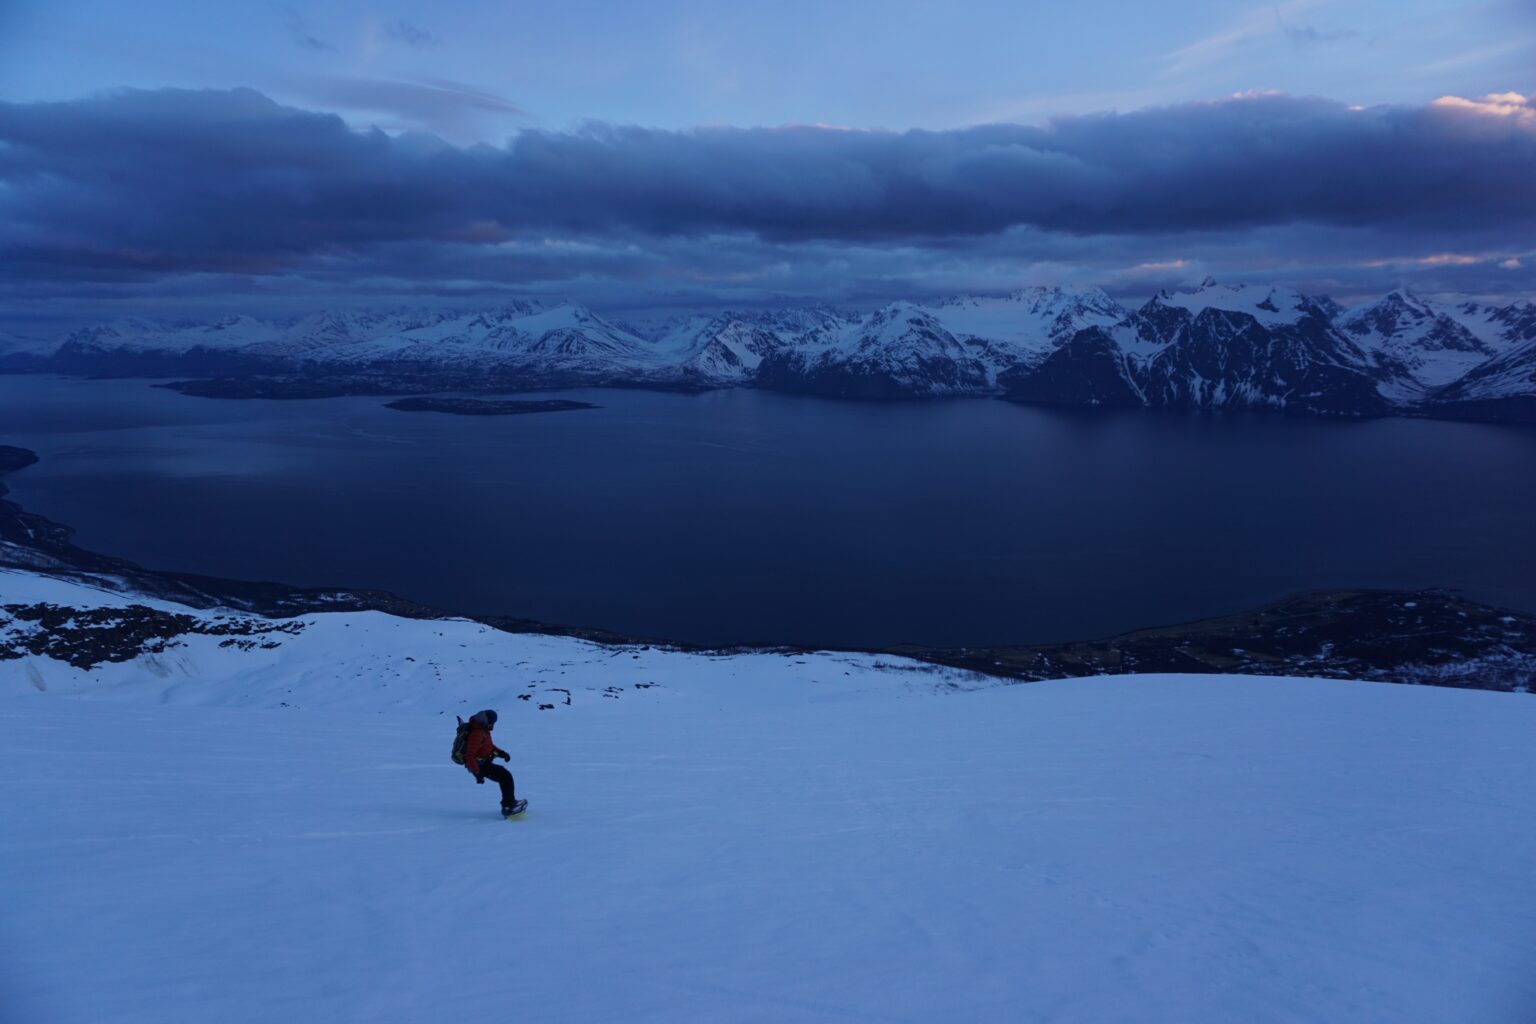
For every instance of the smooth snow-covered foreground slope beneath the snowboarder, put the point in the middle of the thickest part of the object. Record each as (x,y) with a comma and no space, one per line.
(265,825)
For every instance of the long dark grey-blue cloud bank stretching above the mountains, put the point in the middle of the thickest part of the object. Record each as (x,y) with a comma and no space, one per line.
(145,187)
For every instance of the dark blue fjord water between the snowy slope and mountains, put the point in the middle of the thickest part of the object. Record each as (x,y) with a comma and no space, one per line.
(753,517)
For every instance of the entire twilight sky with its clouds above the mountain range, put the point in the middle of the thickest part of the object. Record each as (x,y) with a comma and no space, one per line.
(265,156)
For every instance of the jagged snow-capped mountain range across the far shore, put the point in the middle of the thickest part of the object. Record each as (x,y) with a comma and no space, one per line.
(1207,348)
